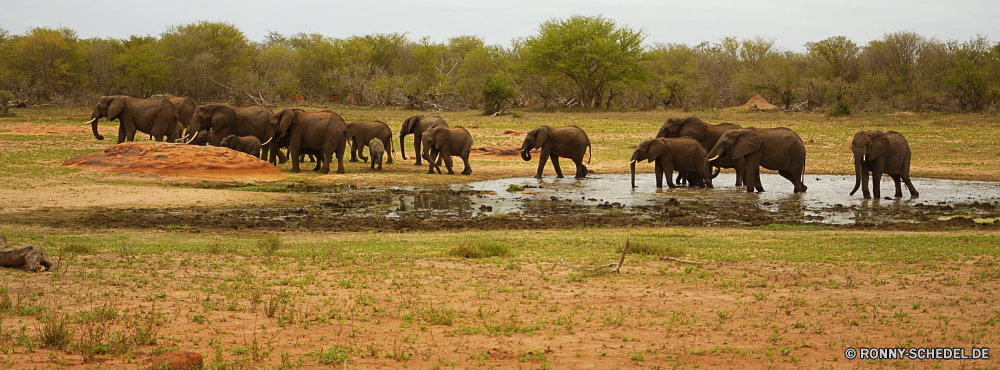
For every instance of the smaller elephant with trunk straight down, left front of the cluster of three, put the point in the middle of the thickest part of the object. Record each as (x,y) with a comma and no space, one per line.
(674,154)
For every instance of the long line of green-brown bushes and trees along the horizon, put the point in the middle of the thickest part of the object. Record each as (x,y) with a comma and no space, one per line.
(588,62)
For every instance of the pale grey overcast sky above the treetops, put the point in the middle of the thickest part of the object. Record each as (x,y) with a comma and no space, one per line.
(791,23)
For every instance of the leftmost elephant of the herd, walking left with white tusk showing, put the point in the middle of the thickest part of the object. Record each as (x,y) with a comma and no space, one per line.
(154,116)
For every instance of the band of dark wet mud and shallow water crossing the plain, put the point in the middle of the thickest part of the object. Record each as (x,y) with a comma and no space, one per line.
(597,201)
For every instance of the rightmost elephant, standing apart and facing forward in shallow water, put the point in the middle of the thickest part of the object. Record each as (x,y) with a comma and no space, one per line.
(881,152)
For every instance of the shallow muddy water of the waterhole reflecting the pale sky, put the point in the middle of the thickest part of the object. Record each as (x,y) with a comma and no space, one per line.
(827,199)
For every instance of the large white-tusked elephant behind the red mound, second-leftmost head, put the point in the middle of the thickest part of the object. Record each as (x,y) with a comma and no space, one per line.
(225,120)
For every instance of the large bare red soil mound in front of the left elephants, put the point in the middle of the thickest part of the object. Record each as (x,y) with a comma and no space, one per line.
(177,160)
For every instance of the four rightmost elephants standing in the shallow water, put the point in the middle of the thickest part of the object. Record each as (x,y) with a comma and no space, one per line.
(692,147)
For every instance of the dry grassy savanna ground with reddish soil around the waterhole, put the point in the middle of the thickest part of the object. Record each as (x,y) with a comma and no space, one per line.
(153,264)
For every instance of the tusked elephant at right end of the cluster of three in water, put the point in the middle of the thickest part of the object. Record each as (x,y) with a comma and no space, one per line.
(778,149)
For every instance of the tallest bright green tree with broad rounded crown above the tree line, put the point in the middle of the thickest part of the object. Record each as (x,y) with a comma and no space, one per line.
(591,51)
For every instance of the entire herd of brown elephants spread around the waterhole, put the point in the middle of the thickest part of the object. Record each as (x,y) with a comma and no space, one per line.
(687,145)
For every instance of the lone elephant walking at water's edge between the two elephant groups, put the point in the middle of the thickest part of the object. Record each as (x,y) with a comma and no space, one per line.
(567,142)
